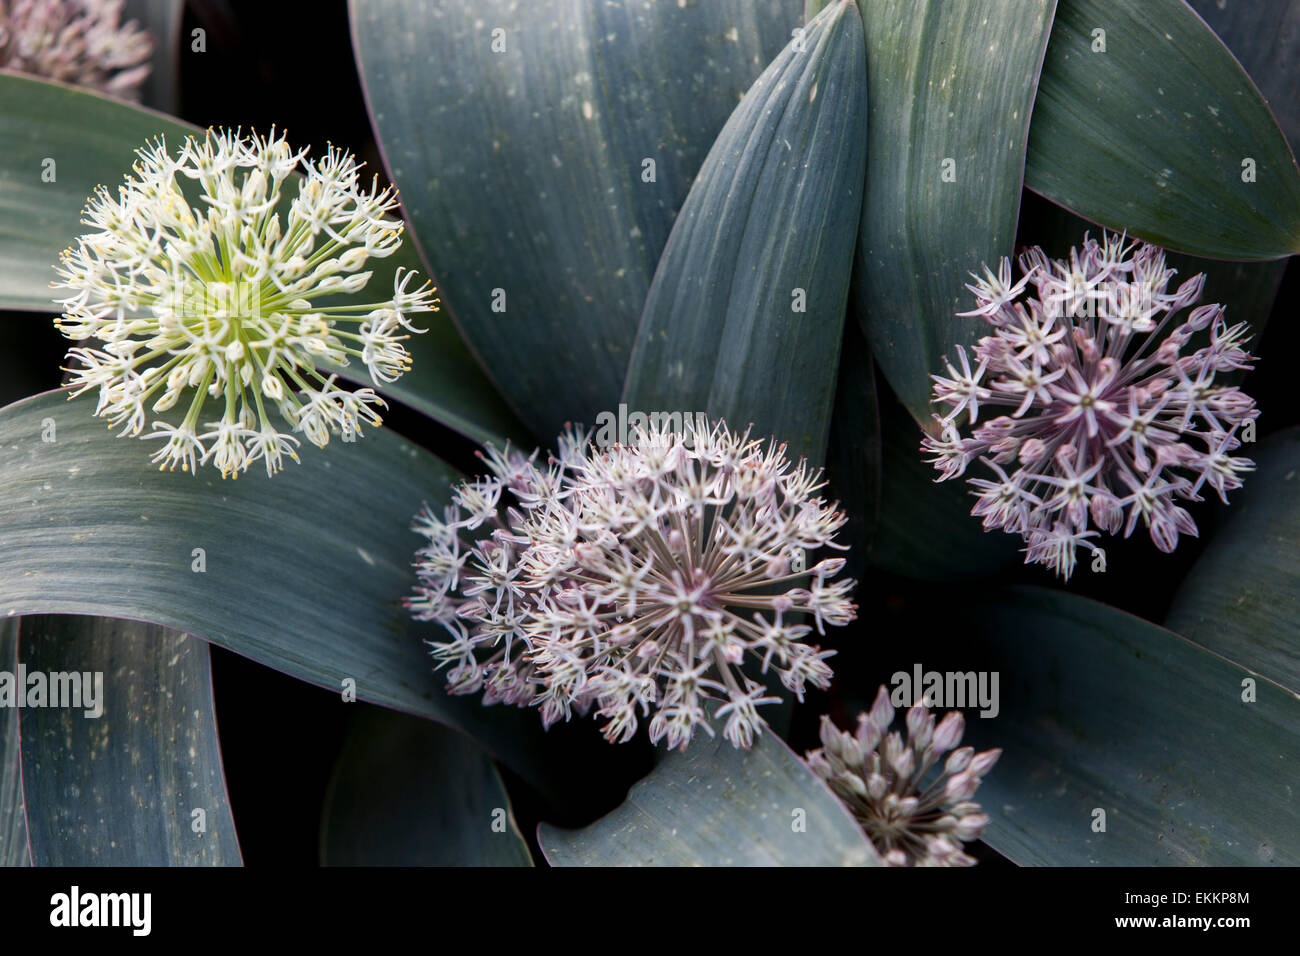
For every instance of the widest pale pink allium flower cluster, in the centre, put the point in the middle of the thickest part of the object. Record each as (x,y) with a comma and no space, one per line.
(635,578)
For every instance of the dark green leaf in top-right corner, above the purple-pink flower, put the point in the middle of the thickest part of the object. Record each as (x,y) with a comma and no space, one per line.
(1146,123)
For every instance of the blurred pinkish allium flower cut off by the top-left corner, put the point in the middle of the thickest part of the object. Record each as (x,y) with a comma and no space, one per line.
(79,42)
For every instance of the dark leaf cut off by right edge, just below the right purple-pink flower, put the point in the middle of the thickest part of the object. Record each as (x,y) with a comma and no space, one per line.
(1242,598)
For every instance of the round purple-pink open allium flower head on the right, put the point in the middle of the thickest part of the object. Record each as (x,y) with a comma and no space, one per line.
(1086,414)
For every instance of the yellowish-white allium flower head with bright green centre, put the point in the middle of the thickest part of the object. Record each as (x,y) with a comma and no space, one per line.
(224,301)
